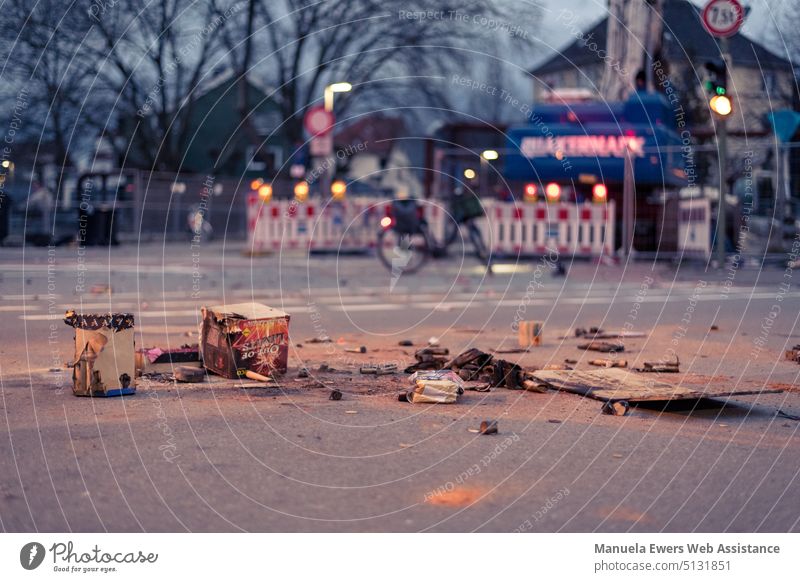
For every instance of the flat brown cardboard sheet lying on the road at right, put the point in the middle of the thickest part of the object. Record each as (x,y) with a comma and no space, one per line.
(619,384)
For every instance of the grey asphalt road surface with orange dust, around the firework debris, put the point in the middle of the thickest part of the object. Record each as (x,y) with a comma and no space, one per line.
(228,456)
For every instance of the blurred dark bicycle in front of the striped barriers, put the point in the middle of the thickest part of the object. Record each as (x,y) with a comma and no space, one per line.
(405,241)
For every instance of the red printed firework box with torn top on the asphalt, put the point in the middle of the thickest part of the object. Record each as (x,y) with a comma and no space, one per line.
(244,336)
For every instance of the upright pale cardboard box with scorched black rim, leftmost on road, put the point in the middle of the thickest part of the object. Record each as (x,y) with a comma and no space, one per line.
(104,363)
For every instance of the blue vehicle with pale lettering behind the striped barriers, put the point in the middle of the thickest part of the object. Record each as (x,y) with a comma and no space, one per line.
(575,152)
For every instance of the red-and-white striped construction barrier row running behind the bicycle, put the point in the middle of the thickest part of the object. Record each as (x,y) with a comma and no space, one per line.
(508,228)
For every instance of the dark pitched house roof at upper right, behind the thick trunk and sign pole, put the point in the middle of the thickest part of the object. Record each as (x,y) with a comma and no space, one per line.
(684,38)
